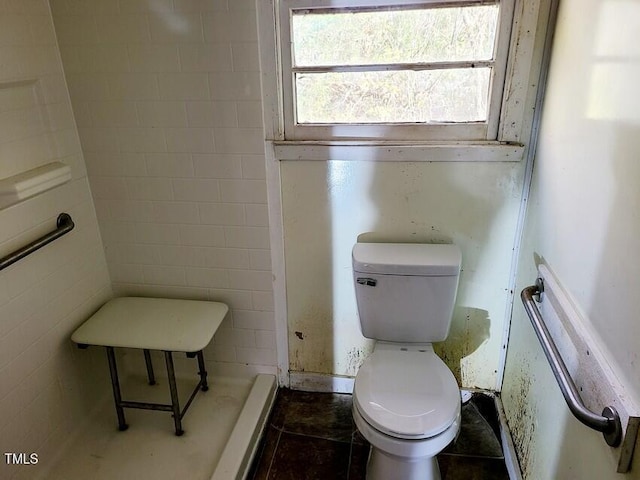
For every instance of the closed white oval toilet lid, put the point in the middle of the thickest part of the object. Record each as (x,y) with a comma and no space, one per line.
(407,394)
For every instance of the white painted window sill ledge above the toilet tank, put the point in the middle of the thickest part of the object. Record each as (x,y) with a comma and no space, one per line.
(398,151)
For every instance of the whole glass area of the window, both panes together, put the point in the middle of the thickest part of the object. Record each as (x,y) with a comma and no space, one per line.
(393,65)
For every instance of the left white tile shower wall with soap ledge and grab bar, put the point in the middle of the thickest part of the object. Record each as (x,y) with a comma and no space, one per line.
(47,386)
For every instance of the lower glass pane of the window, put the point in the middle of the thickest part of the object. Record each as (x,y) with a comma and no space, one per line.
(428,96)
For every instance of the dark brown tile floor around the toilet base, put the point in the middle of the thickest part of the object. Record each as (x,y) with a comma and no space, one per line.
(312,436)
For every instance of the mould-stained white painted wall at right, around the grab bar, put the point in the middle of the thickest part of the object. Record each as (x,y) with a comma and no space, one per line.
(583,222)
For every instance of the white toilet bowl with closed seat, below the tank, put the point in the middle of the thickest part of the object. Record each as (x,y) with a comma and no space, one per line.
(406,404)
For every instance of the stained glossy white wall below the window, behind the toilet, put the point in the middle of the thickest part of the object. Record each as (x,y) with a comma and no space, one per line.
(326,205)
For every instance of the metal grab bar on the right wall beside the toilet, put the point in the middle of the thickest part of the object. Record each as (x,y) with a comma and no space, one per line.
(609,422)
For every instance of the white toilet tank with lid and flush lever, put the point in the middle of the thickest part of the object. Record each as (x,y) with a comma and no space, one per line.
(405,291)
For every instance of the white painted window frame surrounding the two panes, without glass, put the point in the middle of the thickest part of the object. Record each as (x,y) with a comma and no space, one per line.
(488,130)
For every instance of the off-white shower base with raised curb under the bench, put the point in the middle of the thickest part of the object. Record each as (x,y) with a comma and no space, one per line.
(222,430)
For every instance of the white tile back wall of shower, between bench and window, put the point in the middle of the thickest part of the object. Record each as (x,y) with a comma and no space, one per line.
(167,99)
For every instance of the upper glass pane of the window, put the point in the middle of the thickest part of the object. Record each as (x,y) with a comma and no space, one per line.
(394,36)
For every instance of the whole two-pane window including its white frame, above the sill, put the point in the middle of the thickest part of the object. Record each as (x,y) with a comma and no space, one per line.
(393,70)
